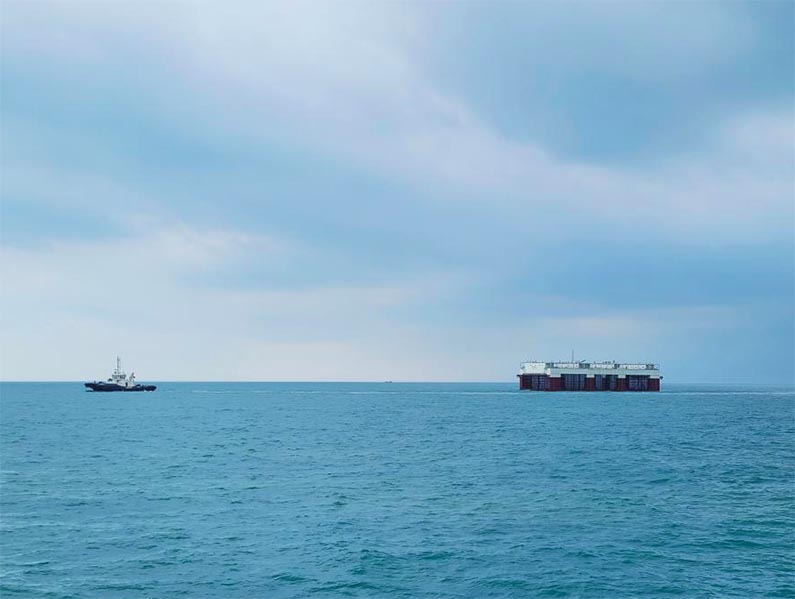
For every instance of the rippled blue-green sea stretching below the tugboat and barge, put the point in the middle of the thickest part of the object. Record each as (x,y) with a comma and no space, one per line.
(399,490)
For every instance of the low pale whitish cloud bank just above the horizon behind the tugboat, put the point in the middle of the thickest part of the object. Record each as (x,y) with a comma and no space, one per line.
(148,297)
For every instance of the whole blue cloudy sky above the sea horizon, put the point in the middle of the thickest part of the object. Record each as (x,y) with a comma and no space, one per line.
(407,191)
